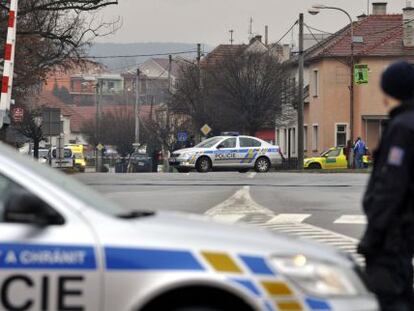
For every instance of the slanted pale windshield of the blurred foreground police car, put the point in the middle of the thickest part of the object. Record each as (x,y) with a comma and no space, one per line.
(70,185)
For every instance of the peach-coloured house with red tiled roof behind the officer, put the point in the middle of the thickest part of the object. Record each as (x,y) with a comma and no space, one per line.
(379,40)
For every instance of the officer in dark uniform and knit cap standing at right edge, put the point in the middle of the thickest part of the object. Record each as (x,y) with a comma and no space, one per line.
(388,242)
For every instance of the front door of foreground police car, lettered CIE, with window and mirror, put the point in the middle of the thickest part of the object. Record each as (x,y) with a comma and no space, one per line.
(48,260)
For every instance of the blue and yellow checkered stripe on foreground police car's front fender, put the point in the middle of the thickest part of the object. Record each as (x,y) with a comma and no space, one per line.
(250,273)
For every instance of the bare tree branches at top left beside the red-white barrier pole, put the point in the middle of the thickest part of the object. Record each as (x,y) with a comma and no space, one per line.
(51,33)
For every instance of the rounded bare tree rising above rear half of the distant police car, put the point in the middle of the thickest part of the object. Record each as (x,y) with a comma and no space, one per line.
(251,84)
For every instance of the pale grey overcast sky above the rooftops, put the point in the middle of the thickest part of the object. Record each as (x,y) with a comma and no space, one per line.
(209,21)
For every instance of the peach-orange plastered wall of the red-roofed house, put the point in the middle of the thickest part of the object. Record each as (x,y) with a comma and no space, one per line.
(331,105)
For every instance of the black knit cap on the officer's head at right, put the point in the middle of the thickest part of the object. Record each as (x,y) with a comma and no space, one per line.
(398,81)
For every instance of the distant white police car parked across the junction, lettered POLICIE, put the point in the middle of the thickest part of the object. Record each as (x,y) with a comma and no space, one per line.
(235,152)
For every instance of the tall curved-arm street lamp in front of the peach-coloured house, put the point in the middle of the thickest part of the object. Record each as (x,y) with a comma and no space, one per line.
(316,10)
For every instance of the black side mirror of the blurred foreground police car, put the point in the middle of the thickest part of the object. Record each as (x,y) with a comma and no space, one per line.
(25,208)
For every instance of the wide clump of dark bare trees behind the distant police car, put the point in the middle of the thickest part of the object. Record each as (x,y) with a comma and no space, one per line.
(242,92)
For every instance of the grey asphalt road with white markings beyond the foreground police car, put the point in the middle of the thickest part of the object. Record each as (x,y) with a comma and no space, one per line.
(328,201)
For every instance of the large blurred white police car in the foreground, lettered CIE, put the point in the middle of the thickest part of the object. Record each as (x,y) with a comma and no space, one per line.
(62,247)
